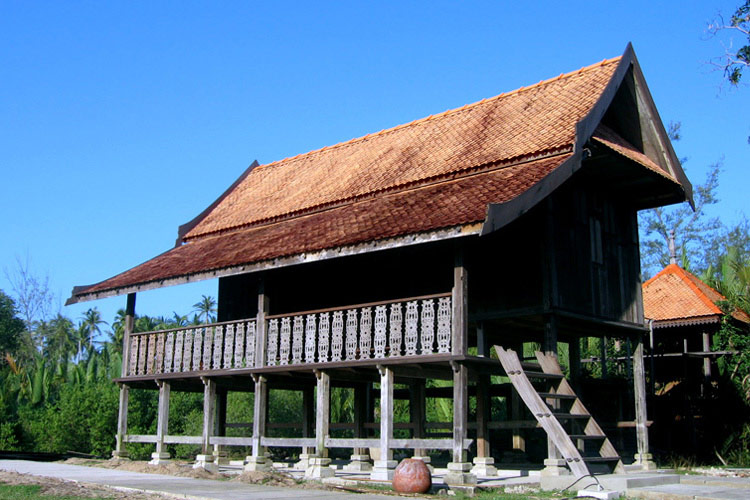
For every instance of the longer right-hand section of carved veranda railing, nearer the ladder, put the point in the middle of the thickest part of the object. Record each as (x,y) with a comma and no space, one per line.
(404,327)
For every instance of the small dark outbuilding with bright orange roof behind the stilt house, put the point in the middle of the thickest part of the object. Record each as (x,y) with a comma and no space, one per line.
(689,400)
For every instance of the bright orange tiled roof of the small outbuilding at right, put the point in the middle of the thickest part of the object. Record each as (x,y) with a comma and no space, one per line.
(676,296)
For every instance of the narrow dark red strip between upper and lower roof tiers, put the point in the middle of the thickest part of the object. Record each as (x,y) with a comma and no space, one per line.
(417,184)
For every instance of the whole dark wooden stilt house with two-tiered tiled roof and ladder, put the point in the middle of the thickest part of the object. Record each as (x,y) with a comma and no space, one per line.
(404,256)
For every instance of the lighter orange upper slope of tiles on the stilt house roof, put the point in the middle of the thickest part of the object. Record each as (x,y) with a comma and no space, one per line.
(525,123)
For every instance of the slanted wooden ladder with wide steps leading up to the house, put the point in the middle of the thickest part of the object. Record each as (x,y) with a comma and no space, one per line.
(585,445)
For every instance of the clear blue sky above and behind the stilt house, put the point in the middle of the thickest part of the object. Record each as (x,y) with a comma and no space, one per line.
(121,120)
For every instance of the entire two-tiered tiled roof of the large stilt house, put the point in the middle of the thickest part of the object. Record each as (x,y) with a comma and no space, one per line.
(462,172)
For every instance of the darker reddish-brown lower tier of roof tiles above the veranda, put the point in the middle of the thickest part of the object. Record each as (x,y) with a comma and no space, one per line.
(444,204)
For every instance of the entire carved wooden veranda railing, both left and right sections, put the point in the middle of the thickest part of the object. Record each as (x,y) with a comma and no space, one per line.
(403,327)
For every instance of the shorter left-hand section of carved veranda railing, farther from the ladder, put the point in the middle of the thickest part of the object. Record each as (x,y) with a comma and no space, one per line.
(216,346)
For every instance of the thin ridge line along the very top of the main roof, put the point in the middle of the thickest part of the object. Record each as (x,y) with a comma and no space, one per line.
(443,113)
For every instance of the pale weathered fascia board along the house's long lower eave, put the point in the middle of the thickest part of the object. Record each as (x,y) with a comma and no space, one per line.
(79,293)
